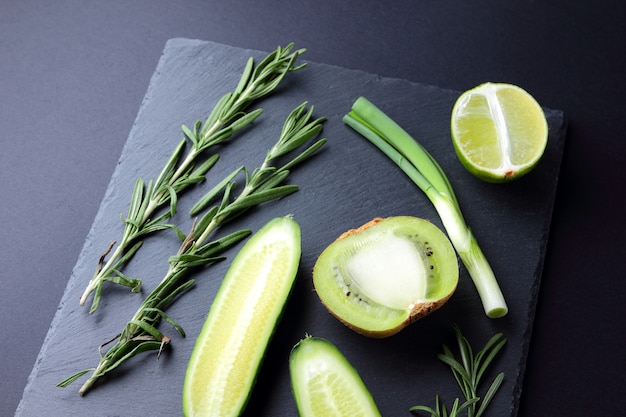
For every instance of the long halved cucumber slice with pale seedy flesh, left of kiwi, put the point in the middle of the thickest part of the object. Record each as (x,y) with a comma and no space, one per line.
(240,323)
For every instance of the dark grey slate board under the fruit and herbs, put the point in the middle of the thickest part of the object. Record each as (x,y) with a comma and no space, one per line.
(344,186)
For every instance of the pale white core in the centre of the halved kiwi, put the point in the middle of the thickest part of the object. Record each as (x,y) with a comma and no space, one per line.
(389,271)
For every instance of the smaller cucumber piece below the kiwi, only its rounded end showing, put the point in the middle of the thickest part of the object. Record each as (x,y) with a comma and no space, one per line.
(325,384)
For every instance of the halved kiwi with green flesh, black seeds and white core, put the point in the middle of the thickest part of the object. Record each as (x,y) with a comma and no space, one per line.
(386,274)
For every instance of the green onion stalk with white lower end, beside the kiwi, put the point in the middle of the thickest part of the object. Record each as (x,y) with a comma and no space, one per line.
(426,173)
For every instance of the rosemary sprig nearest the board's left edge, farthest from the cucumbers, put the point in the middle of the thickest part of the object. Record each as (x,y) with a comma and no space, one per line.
(227,117)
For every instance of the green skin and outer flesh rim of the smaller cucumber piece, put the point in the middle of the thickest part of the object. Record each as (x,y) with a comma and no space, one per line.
(315,351)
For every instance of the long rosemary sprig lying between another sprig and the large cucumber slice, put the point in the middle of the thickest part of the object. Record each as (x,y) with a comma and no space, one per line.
(140,334)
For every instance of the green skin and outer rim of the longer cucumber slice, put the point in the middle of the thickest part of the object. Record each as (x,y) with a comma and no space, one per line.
(269,325)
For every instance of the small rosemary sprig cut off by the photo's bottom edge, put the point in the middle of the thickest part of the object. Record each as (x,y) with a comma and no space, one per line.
(468,373)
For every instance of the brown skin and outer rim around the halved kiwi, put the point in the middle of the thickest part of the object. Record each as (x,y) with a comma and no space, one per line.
(420,308)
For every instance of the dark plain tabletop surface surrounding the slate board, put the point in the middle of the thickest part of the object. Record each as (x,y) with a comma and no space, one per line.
(73,74)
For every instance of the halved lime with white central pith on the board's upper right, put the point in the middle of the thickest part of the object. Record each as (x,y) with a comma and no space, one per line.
(499,131)
